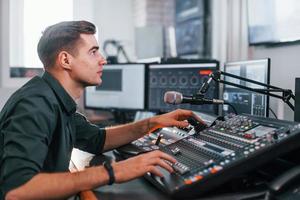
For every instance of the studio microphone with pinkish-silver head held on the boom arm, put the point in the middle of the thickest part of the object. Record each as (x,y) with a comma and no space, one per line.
(173,97)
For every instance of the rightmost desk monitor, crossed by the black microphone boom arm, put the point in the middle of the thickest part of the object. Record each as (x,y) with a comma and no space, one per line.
(242,100)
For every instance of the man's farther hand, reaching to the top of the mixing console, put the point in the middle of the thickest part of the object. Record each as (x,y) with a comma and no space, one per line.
(174,118)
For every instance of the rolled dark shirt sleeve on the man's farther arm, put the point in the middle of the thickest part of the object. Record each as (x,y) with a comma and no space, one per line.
(89,137)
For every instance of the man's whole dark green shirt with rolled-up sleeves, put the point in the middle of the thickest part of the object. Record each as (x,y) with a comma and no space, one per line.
(39,126)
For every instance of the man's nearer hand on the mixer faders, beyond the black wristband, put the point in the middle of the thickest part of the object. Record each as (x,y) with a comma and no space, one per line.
(139,165)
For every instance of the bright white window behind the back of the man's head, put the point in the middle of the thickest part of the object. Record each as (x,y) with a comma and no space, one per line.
(27,21)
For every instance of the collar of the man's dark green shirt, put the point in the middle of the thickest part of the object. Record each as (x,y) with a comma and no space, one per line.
(66,100)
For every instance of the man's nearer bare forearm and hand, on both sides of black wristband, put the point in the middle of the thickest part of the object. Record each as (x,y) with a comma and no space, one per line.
(63,185)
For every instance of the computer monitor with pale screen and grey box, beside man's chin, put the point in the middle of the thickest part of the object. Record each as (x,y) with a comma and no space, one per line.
(123,87)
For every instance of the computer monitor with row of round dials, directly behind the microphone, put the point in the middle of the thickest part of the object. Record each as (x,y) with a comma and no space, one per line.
(186,78)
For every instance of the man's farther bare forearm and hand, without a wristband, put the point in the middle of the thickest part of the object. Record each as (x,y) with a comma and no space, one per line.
(123,134)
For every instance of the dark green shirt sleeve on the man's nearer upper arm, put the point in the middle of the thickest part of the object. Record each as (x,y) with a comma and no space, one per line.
(27,134)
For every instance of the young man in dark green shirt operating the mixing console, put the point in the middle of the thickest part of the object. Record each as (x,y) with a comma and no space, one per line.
(39,124)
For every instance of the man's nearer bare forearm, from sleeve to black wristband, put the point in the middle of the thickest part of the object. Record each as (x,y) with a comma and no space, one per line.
(59,185)
